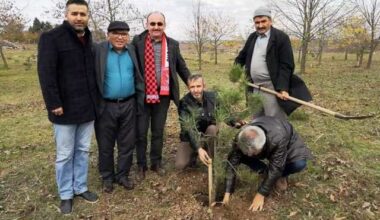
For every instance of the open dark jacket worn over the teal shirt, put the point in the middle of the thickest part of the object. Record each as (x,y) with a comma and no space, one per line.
(101,53)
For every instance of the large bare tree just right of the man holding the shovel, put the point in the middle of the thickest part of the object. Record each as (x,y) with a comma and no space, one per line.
(302,18)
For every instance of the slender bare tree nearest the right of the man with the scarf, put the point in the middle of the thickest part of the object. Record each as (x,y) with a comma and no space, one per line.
(199,31)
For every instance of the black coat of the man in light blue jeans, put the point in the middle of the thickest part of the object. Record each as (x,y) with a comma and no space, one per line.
(66,74)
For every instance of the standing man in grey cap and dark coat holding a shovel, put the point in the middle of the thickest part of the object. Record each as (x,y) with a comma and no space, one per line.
(268,59)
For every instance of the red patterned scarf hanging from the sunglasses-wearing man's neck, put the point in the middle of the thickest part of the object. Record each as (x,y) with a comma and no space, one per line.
(152,95)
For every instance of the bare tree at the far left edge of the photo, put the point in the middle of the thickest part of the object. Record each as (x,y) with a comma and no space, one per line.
(11,26)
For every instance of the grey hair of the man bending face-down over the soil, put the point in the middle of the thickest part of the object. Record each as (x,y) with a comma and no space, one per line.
(251,138)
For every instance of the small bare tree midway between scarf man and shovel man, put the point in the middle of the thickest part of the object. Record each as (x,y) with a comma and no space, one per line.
(220,27)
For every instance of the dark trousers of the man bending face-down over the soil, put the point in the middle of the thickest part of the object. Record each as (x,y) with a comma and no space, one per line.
(260,167)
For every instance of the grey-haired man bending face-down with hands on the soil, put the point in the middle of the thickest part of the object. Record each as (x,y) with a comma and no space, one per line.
(272,139)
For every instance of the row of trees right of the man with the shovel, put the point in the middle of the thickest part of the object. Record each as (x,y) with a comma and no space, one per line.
(319,20)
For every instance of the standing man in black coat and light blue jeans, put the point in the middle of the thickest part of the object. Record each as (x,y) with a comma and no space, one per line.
(66,74)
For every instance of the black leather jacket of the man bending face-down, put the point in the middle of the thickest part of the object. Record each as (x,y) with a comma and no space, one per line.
(283,145)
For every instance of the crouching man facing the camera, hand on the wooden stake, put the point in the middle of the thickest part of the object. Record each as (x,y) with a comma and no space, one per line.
(198,124)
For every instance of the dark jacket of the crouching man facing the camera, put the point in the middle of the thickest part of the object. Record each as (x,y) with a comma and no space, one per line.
(202,114)
